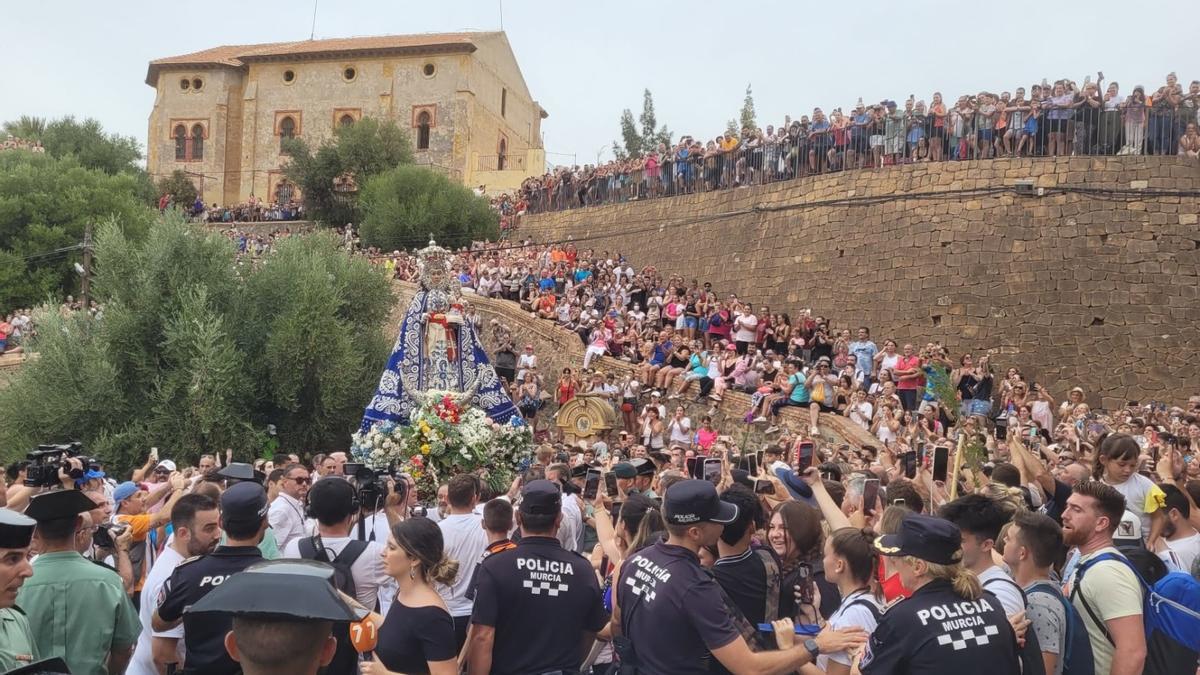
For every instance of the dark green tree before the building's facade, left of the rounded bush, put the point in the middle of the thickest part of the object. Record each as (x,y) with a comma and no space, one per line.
(362,151)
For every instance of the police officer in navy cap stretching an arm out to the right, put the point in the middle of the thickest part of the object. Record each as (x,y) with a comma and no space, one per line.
(670,612)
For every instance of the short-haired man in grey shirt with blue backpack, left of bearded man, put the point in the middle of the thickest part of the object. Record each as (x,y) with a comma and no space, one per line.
(1033,547)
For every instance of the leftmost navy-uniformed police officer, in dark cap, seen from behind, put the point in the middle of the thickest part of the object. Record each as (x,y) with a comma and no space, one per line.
(244,521)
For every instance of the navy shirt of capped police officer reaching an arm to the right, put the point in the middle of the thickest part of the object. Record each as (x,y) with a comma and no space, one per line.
(673,611)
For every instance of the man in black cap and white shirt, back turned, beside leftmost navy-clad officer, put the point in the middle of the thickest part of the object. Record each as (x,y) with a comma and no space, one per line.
(334,506)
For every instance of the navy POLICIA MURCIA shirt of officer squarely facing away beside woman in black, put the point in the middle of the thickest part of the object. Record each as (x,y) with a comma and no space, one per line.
(538,584)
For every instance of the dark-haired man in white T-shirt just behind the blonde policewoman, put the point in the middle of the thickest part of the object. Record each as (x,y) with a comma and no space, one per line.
(981,519)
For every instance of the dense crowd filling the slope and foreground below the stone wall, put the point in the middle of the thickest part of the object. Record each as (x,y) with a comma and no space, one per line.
(1004,501)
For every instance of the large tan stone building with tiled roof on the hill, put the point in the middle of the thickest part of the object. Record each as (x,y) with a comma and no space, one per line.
(221,115)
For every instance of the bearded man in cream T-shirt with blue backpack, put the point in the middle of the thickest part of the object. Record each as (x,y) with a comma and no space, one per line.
(1107,594)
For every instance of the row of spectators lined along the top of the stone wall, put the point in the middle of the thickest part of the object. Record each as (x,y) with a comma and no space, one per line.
(1051,120)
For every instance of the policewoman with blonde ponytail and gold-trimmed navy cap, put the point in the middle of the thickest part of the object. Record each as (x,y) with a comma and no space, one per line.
(949,626)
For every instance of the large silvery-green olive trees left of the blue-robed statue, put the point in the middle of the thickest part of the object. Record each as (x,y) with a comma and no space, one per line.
(197,354)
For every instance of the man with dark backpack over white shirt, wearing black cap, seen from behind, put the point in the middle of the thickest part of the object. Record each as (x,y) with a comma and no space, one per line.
(358,565)
